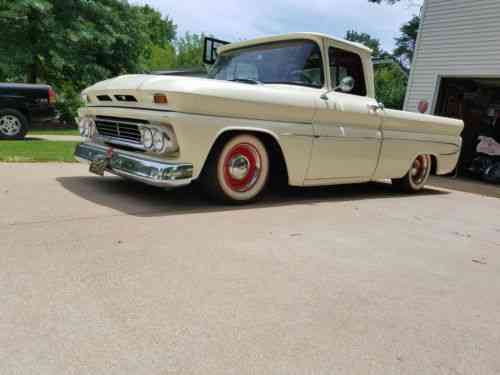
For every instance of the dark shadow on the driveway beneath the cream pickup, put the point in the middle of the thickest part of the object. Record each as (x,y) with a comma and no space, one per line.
(137,199)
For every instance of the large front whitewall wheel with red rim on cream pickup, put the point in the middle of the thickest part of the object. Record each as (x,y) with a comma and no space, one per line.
(237,171)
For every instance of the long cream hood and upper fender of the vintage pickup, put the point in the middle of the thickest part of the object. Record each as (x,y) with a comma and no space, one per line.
(205,96)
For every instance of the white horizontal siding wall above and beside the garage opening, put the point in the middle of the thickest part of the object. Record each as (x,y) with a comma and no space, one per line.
(457,38)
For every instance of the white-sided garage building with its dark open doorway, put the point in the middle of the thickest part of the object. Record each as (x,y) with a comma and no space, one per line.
(456,70)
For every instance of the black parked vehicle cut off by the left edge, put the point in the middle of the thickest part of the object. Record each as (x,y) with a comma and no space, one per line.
(22,105)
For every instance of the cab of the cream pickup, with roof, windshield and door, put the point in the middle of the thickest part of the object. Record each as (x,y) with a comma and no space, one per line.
(348,119)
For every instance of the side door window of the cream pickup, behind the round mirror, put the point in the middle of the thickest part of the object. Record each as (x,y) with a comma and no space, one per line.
(344,64)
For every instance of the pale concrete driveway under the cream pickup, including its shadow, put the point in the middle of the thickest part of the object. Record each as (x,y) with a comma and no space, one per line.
(104,276)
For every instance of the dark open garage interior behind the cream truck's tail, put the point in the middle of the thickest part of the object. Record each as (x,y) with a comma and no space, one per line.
(477,102)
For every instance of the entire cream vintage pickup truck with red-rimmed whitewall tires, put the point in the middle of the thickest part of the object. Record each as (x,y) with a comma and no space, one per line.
(300,105)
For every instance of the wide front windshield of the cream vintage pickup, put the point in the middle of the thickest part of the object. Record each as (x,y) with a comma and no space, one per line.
(296,62)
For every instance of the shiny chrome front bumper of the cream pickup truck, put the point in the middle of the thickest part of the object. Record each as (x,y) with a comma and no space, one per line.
(137,167)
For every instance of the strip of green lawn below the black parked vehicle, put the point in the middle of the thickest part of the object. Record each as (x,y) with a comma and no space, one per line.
(36,151)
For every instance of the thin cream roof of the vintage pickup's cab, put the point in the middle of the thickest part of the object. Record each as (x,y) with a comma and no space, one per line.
(318,37)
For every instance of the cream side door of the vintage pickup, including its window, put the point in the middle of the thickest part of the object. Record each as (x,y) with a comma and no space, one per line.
(347,126)
